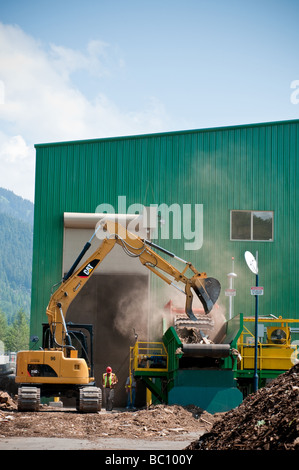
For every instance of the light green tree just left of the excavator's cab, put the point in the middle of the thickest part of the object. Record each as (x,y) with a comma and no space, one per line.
(18,333)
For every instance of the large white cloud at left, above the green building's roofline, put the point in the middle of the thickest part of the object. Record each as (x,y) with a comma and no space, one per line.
(40,103)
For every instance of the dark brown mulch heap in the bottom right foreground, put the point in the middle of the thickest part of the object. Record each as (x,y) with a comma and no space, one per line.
(265,420)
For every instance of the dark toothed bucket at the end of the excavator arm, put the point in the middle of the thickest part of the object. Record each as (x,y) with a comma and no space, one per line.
(207,290)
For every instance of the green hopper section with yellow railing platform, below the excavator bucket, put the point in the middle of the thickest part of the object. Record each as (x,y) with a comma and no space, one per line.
(184,374)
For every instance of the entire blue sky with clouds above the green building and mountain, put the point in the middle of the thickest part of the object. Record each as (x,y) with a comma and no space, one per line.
(74,70)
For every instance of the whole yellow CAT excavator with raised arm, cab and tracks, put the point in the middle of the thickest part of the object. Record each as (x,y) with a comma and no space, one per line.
(62,367)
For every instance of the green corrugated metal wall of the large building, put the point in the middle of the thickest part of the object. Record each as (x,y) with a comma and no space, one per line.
(254,167)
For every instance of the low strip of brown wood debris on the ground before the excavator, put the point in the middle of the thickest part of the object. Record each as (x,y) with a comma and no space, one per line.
(156,422)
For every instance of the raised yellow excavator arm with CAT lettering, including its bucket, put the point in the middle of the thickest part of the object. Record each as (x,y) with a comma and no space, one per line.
(207,289)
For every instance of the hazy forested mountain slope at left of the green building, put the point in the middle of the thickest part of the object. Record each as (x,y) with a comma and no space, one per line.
(16,235)
